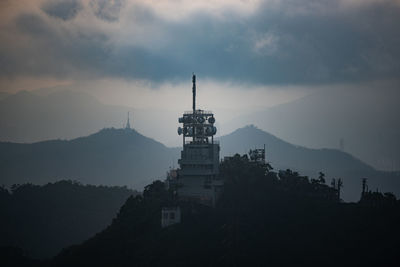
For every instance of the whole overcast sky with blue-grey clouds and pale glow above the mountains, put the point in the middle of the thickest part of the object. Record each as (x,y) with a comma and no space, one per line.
(142,53)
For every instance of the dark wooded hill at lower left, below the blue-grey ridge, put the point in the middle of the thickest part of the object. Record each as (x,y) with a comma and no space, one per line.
(41,220)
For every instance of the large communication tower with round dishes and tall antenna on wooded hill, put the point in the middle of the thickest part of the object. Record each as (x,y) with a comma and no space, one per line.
(198,176)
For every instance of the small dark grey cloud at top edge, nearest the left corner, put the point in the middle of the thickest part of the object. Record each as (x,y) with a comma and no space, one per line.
(63,9)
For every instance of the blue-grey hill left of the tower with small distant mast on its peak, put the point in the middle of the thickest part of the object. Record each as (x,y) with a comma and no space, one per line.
(109,157)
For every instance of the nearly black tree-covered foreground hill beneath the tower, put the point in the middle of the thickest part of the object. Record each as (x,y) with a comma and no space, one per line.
(261,219)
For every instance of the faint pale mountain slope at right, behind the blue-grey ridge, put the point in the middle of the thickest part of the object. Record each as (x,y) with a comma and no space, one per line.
(367,123)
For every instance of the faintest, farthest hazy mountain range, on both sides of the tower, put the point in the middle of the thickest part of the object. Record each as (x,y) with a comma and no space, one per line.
(369,129)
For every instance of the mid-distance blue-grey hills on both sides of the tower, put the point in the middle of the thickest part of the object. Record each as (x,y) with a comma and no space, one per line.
(126,157)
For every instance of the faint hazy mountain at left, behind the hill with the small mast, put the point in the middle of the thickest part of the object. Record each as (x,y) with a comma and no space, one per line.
(66,114)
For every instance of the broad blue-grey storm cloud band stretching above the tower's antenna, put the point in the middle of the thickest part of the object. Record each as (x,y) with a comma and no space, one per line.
(300,42)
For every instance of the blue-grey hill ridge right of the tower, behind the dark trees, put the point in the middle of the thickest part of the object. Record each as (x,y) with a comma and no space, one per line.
(334,163)
